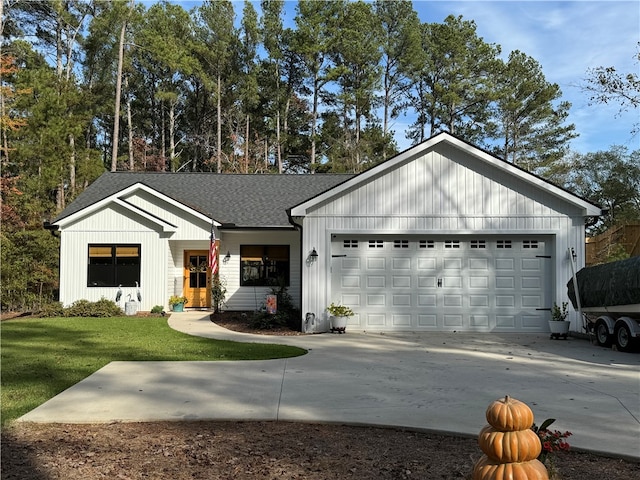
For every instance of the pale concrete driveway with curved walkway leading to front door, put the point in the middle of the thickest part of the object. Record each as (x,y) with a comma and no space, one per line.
(438,382)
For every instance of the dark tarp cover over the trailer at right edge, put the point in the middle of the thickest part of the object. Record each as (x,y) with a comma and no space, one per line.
(615,283)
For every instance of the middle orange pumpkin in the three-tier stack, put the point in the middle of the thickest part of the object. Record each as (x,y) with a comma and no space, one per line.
(507,447)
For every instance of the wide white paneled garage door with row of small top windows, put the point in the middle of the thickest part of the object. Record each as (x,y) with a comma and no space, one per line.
(443,283)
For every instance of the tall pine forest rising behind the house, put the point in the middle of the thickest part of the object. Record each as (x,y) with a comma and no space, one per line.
(92,85)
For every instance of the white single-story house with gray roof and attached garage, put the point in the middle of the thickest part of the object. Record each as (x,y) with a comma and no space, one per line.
(441,237)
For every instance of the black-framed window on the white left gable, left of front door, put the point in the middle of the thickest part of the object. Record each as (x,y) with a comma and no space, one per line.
(113,270)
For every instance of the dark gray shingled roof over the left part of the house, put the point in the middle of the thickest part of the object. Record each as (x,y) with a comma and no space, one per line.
(243,200)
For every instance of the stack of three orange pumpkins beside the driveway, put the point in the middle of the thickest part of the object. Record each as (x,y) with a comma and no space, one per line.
(511,448)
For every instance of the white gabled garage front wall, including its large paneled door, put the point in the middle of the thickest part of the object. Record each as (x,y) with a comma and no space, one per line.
(441,195)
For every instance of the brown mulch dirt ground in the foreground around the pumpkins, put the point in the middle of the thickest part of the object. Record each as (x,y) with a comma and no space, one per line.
(266,450)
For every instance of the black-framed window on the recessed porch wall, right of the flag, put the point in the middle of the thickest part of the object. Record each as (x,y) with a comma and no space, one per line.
(264,265)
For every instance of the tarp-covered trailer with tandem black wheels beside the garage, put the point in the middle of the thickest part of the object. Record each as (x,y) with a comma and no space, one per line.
(609,300)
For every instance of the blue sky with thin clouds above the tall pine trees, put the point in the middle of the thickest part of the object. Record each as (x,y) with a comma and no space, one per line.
(565,37)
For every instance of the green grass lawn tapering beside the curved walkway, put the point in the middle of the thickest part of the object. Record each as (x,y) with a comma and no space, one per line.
(42,357)
